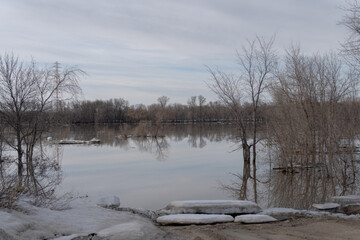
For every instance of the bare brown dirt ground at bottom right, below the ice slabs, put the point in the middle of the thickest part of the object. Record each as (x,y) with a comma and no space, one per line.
(293,229)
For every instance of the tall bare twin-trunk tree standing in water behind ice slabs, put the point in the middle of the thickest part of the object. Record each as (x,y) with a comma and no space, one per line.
(257,61)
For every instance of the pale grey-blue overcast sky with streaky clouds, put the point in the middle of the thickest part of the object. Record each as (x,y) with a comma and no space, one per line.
(140,50)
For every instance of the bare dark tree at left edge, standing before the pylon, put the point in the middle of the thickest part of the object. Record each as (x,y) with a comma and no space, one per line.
(27,103)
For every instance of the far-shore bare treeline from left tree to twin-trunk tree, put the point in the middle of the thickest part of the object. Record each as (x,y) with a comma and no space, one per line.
(120,111)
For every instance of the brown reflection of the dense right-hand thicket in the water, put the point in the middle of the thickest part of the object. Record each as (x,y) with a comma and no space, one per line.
(305,184)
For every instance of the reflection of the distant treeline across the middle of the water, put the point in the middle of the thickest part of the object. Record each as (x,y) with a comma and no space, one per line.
(144,138)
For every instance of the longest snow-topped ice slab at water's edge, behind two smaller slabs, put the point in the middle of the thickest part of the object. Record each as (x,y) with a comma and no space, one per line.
(231,207)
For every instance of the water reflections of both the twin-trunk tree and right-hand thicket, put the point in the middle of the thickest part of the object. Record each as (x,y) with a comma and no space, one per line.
(289,179)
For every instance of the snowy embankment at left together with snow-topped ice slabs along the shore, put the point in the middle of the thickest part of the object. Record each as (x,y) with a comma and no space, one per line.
(107,220)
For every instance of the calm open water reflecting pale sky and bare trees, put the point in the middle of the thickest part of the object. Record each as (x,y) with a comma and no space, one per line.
(285,176)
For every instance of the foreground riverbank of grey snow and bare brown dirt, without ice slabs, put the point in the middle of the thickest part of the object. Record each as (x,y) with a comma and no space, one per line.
(83,219)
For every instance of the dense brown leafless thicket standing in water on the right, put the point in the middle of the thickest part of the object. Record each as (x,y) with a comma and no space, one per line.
(312,118)
